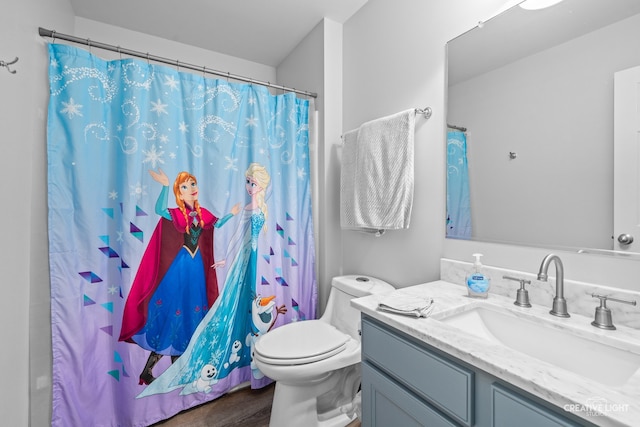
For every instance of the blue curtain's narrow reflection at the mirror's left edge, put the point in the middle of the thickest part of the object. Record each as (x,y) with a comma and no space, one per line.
(458,199)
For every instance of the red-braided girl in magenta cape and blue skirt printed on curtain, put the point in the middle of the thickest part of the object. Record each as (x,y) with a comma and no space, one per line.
(174,286)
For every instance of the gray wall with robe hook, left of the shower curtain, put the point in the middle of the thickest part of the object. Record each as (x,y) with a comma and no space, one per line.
(24,260)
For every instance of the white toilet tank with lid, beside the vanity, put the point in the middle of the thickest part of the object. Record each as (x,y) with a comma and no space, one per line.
(339,312)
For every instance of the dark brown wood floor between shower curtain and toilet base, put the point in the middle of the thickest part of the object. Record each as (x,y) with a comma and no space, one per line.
(244,407)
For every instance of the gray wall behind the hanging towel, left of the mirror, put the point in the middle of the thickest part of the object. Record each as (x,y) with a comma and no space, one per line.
(394,60)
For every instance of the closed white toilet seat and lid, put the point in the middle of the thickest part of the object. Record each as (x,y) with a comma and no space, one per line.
(299,343)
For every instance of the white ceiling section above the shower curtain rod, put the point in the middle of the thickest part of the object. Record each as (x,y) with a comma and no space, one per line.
(262,31)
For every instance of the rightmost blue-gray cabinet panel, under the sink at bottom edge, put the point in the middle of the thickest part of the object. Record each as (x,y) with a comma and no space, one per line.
(510,408)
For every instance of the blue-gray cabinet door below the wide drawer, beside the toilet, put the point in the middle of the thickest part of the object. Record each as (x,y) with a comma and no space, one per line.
(385,403)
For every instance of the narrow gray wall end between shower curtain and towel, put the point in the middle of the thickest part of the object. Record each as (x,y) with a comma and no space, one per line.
(316,65)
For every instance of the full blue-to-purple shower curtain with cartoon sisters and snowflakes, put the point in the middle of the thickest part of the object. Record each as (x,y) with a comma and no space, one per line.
(180,230)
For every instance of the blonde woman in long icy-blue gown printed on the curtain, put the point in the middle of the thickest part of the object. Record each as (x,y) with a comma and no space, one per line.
(220,343)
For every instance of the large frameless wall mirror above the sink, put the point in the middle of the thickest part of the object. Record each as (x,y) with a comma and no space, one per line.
(534,90)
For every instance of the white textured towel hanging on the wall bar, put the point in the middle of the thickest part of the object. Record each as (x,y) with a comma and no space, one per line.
(376,181)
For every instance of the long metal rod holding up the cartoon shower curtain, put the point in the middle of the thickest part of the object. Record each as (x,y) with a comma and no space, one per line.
(55,35)
